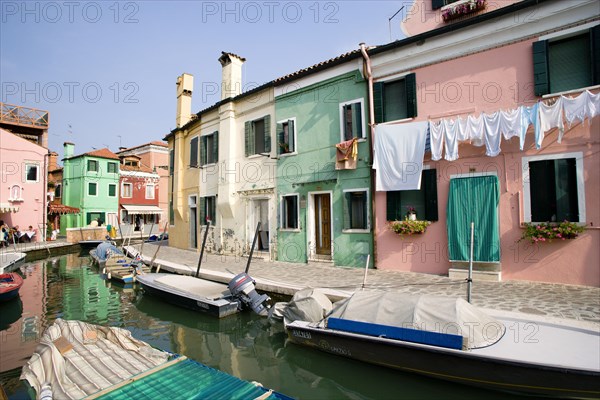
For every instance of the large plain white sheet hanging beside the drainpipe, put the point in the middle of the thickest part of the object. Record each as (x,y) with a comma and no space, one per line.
(398,159)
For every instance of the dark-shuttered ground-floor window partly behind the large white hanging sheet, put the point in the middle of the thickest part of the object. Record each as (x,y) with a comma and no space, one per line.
(424,201)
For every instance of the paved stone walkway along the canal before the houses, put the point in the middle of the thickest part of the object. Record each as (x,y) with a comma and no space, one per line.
(555,300)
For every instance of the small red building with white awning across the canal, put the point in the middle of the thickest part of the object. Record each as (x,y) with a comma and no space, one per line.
(138,194)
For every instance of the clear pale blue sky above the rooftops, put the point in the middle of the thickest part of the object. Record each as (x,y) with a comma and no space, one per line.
(108,69)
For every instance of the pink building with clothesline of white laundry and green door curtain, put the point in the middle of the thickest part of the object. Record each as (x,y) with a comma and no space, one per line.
(509,92)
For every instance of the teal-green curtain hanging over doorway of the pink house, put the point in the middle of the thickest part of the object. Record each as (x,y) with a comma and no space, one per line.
(474,199)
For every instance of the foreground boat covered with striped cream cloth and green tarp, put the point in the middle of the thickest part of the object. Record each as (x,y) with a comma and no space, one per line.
(79,360)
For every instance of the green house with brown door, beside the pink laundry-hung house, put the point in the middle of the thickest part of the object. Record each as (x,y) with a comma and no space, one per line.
(324,201)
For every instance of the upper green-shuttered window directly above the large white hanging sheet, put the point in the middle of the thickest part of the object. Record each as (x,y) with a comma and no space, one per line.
(396,99)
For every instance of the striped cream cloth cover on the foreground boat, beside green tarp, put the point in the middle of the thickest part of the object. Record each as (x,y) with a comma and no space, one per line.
(78,359)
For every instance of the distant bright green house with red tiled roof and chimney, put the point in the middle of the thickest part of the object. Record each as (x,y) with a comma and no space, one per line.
(90,183)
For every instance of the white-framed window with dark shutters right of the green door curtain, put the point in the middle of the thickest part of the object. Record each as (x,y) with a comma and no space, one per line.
(553,188)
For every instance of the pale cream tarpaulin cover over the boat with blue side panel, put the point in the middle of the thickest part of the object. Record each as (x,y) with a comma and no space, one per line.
(424,312)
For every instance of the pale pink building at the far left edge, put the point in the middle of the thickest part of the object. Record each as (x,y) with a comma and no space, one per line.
(22,184)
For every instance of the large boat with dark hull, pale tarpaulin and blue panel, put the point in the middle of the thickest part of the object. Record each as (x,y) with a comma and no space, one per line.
(448,338)
